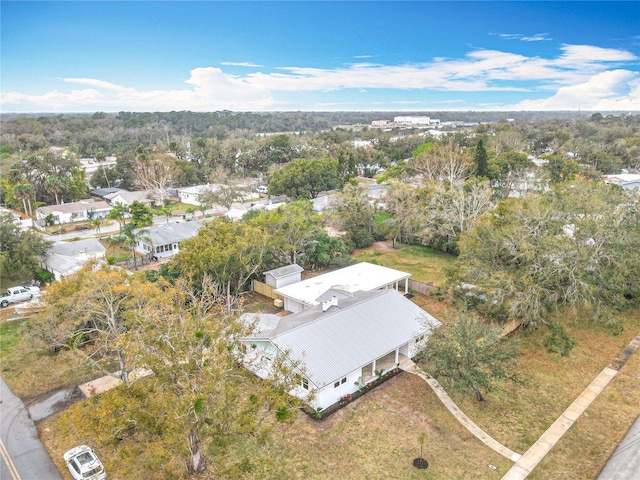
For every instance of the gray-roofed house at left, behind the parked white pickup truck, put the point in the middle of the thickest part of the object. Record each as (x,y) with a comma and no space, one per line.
(65,258)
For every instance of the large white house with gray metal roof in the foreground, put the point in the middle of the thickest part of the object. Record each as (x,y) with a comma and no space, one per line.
(341,344)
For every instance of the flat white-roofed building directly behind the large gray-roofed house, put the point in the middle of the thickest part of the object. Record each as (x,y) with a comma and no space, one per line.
(359,277)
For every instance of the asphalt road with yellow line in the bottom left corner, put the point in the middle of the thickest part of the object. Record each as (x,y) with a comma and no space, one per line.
(22,455)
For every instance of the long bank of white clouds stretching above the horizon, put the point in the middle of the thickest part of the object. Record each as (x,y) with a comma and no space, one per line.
(580,76)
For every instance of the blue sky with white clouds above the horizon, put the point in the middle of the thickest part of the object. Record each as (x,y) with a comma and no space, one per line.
(319,56)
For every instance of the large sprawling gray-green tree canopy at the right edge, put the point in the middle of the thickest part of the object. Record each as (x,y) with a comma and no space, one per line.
(576,245)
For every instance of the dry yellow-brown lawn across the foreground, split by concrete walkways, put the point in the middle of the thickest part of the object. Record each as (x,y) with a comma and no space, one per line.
(379,435)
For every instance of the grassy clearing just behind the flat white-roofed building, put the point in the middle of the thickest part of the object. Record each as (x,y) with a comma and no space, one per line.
(425,264)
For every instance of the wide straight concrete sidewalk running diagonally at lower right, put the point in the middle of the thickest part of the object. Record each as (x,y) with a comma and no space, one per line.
(523,467)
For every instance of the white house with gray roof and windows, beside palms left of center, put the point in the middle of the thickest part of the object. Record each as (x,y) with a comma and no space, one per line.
(164,240)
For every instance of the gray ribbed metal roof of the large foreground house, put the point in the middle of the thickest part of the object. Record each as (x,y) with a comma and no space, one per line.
(347,337)
